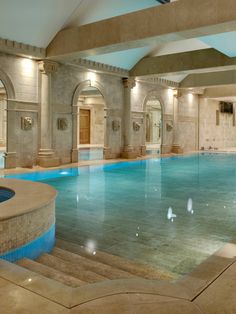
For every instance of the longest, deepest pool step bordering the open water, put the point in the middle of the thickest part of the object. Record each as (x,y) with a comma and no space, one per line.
(116,262)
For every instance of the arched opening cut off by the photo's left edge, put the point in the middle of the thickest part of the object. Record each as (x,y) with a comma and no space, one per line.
(3,123)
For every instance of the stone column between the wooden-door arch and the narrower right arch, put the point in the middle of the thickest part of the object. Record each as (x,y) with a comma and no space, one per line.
(128,151)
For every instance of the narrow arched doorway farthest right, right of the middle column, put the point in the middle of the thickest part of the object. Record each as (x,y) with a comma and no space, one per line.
(153,126)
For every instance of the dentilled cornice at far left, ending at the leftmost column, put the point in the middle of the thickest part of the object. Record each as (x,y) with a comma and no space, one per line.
(20,49)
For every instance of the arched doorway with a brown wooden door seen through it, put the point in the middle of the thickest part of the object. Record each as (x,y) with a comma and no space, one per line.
(90,124)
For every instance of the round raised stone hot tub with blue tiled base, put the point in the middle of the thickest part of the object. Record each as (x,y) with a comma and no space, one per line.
(27,219)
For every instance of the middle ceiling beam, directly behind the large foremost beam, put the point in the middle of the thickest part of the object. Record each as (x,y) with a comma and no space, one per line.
(185,62)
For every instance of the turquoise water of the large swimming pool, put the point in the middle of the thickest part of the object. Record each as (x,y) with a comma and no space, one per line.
(123,208)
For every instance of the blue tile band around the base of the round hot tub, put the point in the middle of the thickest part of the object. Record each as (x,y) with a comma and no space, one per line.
(33,249)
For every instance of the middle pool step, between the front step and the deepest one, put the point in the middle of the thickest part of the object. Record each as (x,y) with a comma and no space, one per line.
(70,269)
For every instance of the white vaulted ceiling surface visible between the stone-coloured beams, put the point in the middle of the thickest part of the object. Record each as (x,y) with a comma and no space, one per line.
(36,22)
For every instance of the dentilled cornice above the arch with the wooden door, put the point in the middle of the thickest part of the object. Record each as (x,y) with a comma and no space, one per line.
(100,67)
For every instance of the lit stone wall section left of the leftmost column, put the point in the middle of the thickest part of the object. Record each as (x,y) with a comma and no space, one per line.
(20,78)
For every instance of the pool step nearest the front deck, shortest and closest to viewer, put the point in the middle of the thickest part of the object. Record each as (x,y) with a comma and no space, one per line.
(51,273)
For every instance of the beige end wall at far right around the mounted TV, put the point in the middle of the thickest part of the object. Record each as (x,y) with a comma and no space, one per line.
(216,136)
